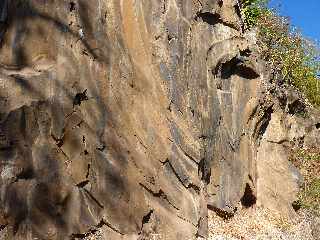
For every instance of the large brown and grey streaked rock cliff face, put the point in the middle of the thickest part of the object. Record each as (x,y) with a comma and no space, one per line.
(136,116)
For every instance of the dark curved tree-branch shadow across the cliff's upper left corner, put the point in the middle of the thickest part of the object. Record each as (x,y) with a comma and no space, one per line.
(20,16)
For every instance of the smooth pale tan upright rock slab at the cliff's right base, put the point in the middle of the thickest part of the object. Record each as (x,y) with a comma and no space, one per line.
(275,179)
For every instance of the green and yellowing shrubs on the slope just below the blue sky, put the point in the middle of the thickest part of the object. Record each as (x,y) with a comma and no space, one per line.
(293,58)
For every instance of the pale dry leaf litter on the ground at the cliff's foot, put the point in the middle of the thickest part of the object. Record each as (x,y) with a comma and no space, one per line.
(259,224)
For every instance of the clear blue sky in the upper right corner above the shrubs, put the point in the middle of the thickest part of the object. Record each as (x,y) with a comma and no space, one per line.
(304,14)
